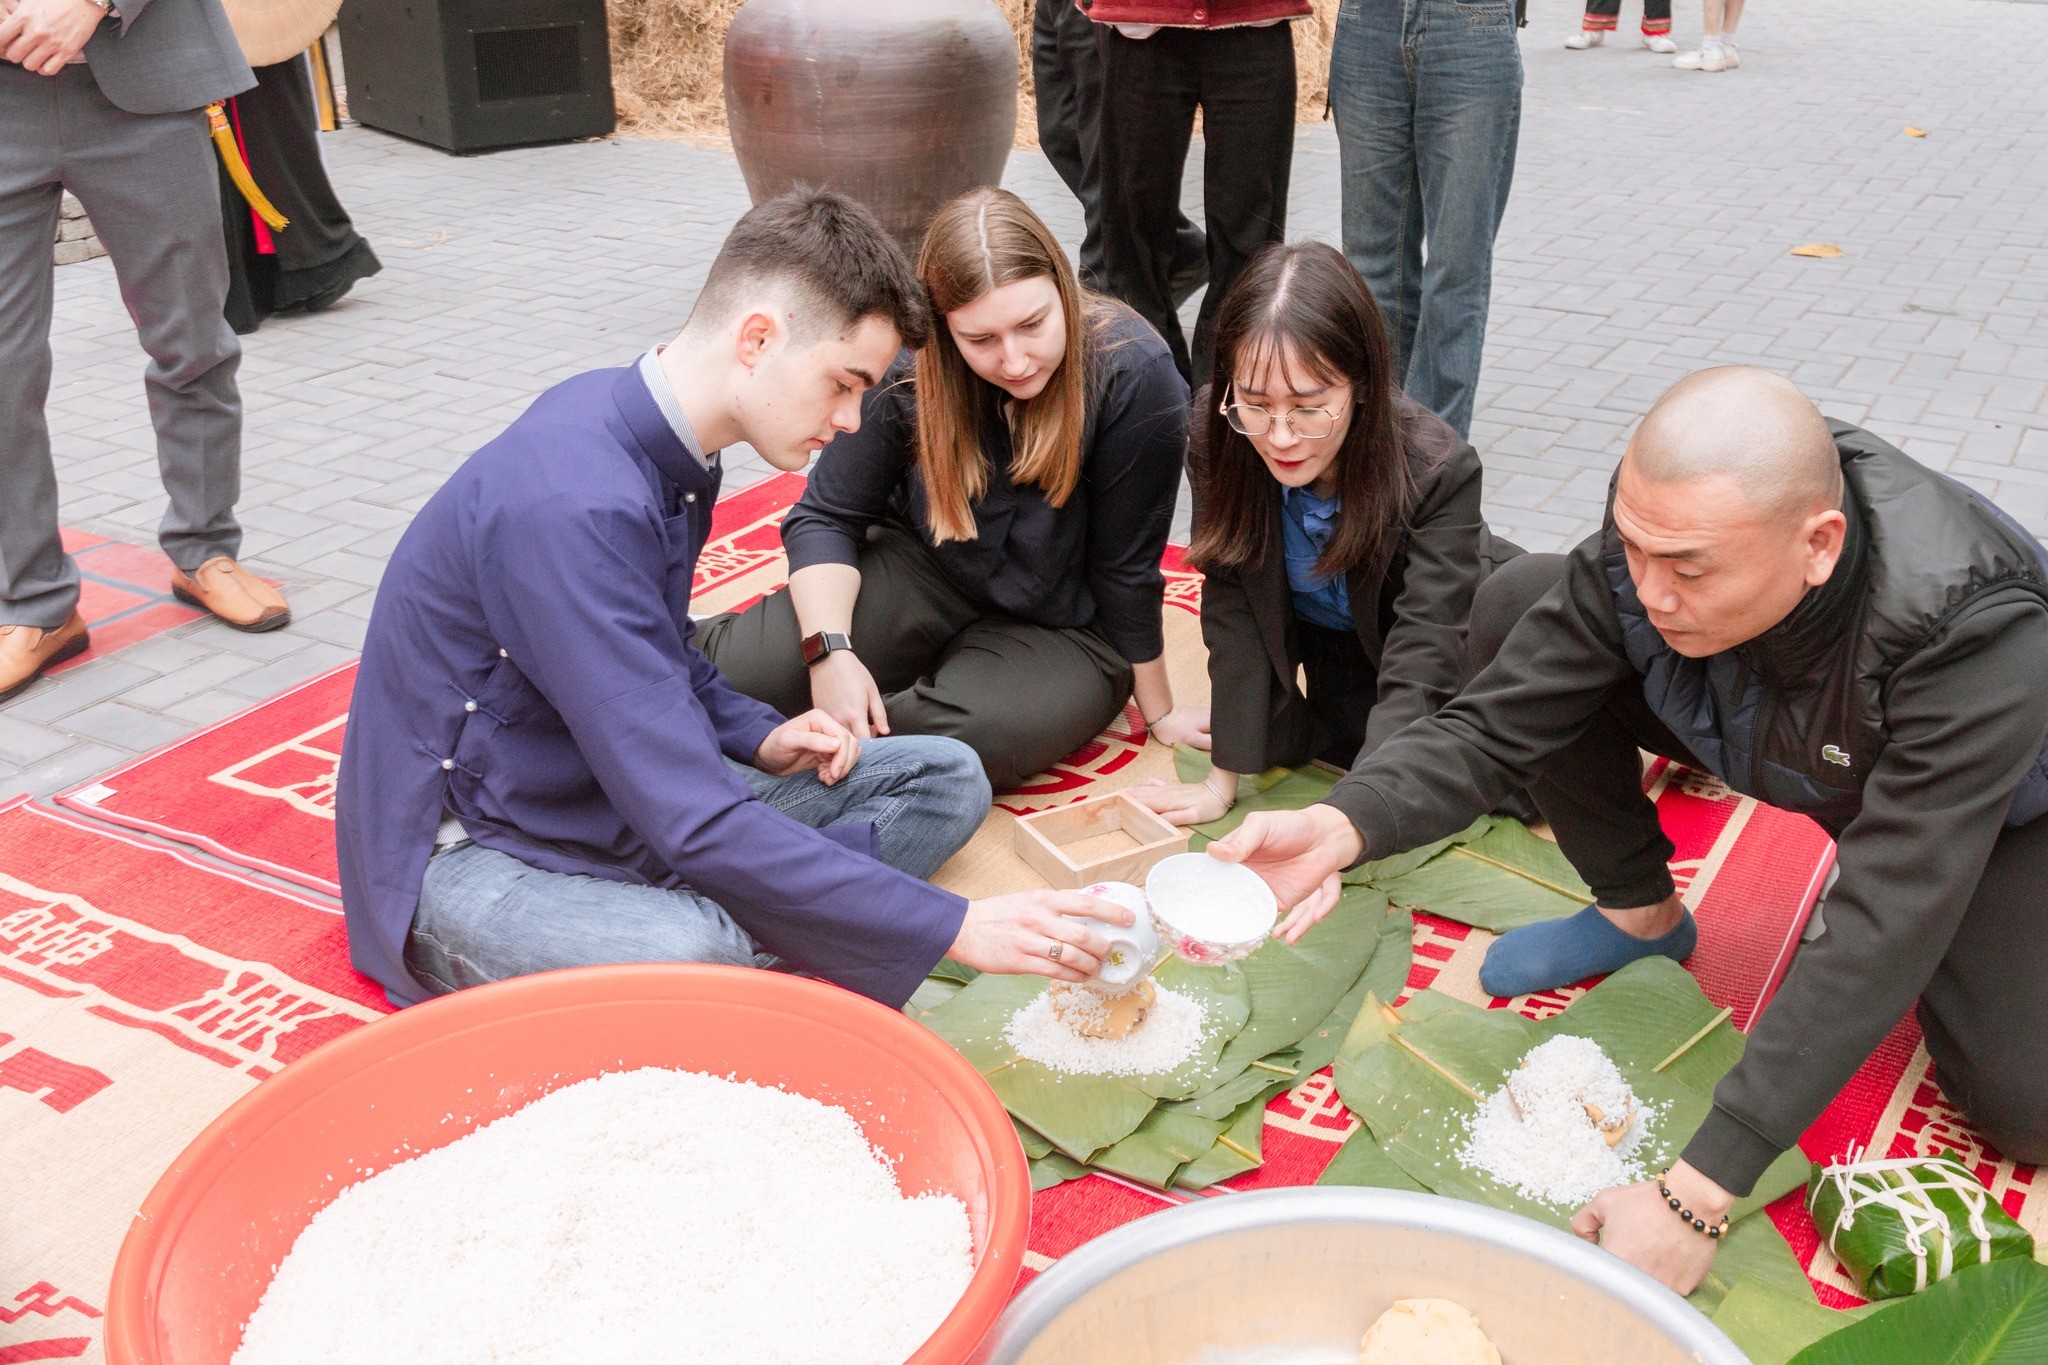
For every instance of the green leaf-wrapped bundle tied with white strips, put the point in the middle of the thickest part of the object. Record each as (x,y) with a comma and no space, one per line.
(1904,1225)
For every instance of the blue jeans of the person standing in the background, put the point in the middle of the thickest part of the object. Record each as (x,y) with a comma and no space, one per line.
(1428,107)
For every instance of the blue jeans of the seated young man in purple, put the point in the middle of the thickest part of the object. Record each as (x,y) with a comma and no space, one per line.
(486,916)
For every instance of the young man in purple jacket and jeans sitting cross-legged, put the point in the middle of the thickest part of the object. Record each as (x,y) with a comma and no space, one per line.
(542,768)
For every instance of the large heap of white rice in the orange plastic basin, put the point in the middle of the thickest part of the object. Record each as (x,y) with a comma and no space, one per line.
(638,1217)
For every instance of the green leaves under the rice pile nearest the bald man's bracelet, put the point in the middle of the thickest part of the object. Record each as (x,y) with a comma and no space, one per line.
(1414,1077)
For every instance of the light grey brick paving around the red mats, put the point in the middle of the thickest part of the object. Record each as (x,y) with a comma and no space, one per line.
(1648,236)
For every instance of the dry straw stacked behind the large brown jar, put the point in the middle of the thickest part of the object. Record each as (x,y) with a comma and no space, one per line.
(669,67)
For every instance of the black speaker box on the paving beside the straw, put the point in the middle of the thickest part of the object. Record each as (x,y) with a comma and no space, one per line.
(478,75)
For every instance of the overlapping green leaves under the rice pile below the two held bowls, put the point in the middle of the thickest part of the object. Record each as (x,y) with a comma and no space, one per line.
(1271,1020)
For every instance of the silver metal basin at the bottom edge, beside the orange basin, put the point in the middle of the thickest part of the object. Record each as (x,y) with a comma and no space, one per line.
(1297,1276)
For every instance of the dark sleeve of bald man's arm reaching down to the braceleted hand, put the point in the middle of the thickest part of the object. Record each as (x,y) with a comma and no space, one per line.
(1967,719)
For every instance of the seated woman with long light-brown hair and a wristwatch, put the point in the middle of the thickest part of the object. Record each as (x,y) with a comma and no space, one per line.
(982,556)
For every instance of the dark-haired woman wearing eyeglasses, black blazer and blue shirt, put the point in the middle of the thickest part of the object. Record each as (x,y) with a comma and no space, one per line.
(1338,529)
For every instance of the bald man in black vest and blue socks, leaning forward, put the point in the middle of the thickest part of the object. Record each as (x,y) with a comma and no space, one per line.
(1828,627)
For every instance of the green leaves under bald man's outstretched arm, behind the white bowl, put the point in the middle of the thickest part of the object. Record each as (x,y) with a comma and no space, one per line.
(1496,875)
